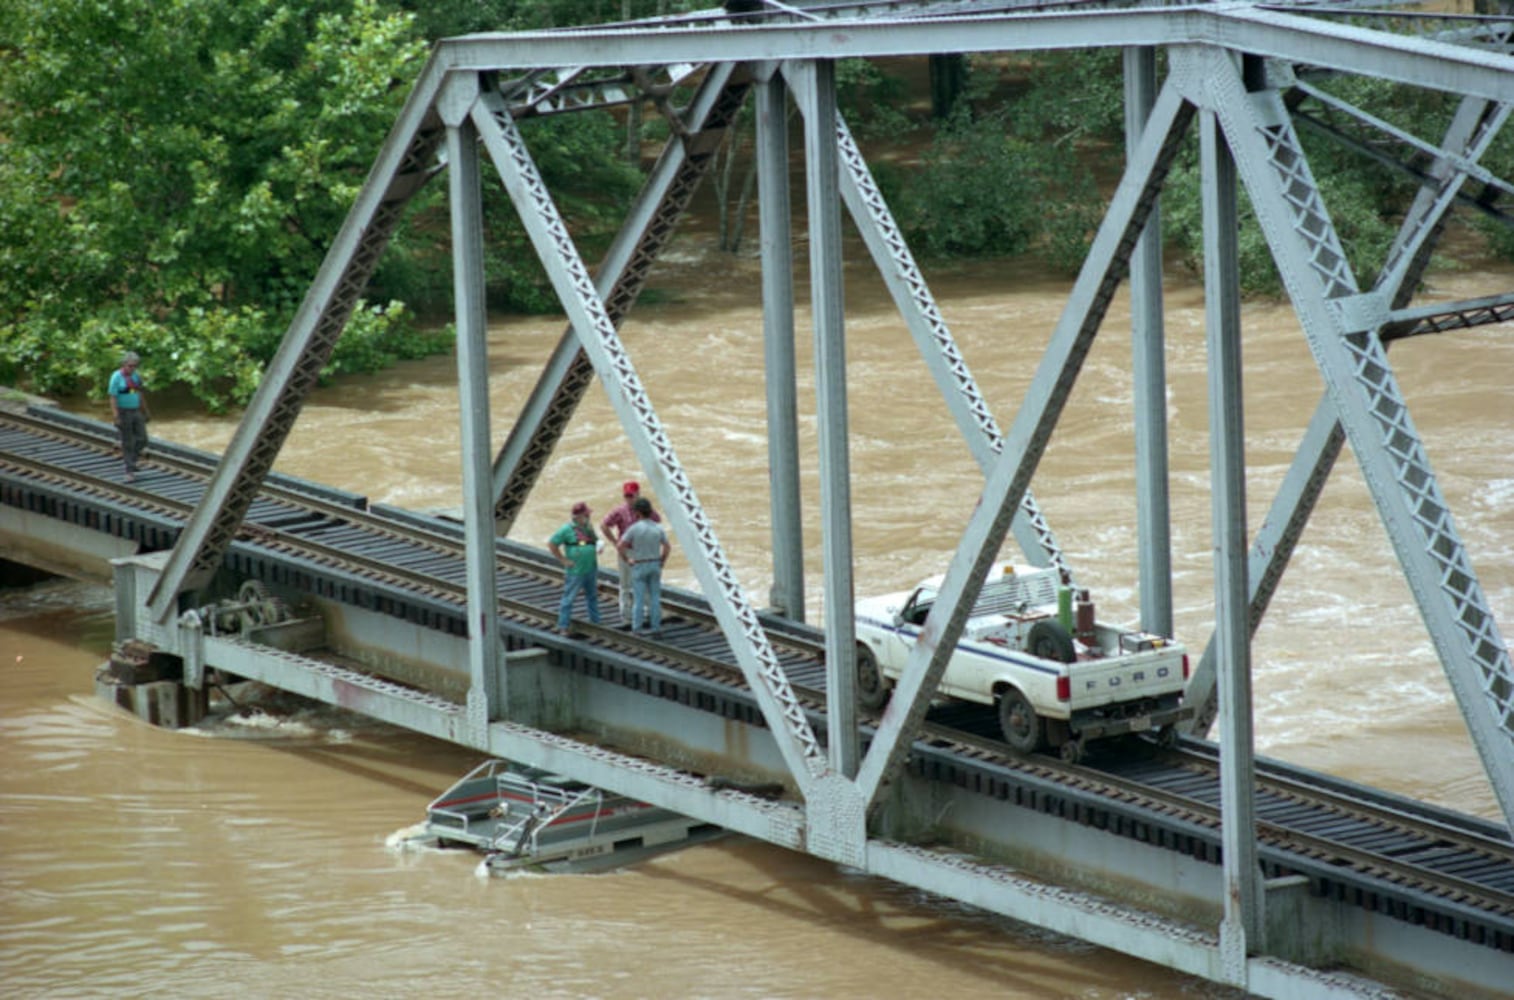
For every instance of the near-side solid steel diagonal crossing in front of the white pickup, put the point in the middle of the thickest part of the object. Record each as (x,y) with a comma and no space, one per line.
(1041,409)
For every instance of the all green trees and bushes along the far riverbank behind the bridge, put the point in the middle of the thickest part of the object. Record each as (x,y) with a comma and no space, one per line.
(173,173)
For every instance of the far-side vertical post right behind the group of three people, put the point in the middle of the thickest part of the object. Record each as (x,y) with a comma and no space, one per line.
(787,595)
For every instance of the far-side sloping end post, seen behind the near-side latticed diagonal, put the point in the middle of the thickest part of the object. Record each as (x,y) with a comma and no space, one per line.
(623,275)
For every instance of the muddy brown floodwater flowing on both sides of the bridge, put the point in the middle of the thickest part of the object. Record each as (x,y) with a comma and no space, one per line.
(251,857)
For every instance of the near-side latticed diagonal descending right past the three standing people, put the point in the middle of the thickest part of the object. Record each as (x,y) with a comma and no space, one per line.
(602,343)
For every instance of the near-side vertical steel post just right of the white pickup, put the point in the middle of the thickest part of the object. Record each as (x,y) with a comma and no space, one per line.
(1242,925)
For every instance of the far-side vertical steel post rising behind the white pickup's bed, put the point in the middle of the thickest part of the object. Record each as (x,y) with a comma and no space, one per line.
(1150,373)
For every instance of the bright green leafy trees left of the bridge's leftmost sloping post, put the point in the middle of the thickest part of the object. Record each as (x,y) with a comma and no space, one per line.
(173,173)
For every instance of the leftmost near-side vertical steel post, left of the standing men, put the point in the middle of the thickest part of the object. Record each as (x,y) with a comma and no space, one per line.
(485,694)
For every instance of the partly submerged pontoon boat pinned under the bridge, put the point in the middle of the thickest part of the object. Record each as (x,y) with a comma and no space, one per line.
(526,818)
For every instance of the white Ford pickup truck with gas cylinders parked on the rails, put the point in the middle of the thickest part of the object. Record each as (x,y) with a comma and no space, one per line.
(1058,677)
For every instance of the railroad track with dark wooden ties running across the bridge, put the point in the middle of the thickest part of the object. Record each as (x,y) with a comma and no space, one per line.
(1303,822)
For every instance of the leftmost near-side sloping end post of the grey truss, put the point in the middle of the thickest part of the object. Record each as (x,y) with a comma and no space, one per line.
(403,167)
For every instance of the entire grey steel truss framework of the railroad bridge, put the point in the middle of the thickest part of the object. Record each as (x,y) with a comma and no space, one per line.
(1247,79)
